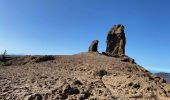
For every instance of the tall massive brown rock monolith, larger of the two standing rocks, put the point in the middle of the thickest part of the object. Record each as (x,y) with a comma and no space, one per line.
(116,41)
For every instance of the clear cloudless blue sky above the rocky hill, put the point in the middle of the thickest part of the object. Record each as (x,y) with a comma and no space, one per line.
(65,27)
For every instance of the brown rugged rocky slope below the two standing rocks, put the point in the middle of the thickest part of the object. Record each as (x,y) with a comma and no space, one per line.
(90,76)
